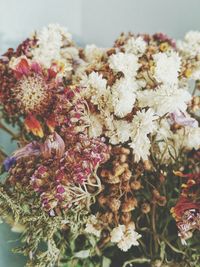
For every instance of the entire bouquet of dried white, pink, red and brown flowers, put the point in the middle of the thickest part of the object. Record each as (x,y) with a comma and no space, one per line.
(107,169)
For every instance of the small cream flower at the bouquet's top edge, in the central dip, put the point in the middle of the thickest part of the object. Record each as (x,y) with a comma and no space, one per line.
(93,53)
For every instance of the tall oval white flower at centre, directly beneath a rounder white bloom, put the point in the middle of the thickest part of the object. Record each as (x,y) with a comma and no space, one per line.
(123,96)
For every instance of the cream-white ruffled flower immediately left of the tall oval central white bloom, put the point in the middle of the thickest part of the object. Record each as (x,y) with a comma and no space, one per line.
(95,87)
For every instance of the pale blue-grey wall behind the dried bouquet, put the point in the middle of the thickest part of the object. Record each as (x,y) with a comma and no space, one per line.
(90,21)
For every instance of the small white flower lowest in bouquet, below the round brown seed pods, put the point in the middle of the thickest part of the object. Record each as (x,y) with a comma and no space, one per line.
(125,237)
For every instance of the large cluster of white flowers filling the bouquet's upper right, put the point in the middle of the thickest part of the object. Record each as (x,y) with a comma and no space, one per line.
(127,110)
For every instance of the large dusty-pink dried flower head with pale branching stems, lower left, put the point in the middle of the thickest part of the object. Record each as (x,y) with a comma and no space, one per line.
(62,171)
